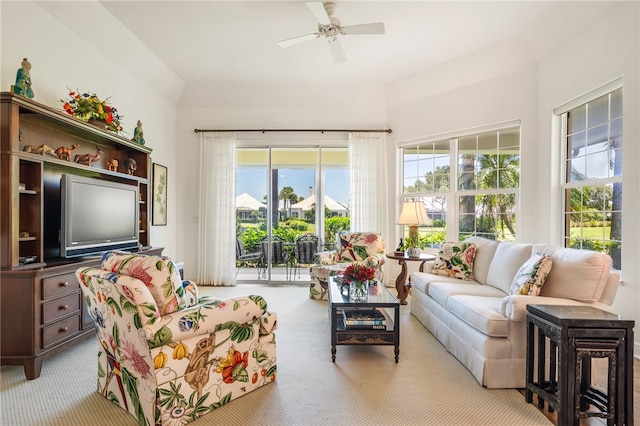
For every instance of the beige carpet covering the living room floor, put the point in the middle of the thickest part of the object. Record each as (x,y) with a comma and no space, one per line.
(364,387)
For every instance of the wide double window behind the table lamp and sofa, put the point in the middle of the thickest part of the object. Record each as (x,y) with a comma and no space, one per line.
(478,174)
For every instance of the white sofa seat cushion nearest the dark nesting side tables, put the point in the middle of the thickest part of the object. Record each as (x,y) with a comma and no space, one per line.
(481,313)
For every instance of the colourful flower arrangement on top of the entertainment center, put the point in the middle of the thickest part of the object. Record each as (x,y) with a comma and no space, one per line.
(87,106)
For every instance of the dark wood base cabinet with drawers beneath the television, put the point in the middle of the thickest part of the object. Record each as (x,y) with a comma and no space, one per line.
(42,312)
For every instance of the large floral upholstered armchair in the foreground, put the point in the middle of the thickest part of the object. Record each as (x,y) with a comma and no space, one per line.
(166,355)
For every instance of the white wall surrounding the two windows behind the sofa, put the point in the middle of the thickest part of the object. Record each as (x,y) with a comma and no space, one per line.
(528,86)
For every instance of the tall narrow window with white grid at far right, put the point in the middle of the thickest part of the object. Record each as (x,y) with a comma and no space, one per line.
(592,184)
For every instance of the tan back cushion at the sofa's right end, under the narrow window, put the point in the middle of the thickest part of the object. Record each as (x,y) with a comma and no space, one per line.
(576,274)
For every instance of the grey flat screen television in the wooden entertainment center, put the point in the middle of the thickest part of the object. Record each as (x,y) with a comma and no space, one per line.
(96,216)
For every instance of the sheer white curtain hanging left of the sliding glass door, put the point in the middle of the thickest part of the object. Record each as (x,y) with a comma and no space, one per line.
(216,242)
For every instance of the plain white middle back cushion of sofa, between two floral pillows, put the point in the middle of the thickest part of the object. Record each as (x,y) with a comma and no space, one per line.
(508,259)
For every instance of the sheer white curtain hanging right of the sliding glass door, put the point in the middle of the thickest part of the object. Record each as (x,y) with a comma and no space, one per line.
(368,192)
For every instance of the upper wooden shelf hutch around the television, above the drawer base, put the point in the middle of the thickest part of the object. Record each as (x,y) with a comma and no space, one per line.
(36,209)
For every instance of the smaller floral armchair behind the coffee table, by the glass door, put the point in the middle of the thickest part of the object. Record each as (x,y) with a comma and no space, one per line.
(364,248)
